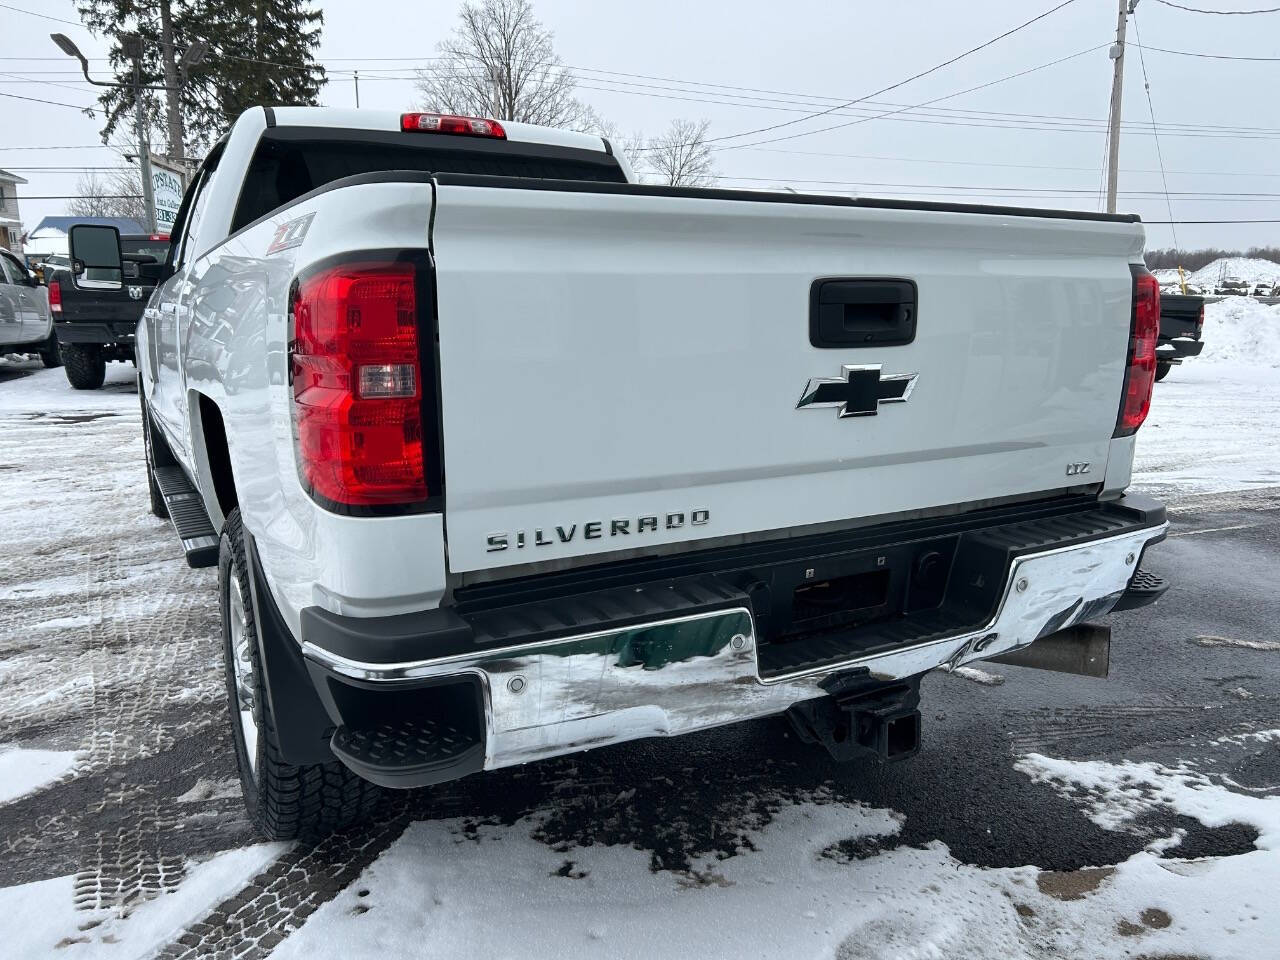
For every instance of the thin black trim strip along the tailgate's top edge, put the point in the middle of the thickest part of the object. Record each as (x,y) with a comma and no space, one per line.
(646,190)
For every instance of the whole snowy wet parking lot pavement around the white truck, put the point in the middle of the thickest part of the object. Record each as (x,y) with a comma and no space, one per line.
(1046,816)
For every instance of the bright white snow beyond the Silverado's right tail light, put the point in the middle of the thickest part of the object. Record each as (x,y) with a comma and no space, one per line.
(1215,420)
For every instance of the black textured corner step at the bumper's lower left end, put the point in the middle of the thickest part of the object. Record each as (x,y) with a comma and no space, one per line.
(409,752)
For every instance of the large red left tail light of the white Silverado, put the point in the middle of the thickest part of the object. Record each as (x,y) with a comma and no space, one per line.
(358,385)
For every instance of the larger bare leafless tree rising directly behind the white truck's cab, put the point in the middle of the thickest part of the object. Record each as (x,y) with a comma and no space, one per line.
(500,62)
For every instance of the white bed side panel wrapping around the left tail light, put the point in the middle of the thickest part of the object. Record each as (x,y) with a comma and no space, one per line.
(236,353)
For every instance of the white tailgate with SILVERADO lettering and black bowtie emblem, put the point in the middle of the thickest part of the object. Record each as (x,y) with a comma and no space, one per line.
(623,369)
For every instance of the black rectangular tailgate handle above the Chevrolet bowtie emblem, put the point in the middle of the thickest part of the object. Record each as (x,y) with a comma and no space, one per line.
(862,313)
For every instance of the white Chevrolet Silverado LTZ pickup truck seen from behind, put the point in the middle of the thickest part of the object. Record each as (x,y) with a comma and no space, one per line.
(502,455)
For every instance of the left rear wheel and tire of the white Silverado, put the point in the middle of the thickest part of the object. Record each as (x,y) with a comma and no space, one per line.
(285,802)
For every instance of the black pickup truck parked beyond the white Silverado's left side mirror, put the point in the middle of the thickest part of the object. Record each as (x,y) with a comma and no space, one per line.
(97,318)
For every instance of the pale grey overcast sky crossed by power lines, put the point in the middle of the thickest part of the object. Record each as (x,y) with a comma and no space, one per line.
(1035,140)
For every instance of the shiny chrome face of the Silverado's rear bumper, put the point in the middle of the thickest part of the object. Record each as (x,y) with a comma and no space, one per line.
(685,674)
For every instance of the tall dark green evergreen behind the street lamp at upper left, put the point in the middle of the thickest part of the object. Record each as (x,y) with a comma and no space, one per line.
(260,52)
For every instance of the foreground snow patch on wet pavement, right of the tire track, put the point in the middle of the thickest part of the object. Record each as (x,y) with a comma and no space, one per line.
(822,880)
